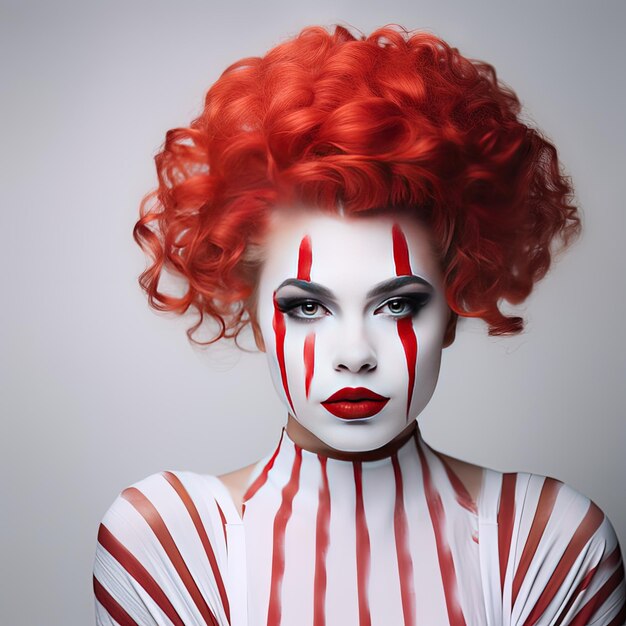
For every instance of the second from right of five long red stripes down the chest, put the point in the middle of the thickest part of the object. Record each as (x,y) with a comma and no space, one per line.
(405,563)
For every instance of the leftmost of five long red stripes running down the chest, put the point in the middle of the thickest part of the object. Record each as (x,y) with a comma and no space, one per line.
(274,609)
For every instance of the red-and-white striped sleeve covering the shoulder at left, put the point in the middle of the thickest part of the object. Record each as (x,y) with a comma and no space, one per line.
(157,537)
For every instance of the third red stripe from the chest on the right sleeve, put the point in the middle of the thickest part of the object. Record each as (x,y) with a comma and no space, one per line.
(586,529)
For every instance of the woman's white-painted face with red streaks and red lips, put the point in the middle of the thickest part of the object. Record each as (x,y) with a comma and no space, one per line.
(351,307)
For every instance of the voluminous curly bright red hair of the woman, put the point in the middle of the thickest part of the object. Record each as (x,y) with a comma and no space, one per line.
(393,120)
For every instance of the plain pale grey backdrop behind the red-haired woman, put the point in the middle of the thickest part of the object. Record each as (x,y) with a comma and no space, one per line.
(97,391)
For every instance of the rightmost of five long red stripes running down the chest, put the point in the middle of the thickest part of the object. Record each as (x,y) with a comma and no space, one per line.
(444,554)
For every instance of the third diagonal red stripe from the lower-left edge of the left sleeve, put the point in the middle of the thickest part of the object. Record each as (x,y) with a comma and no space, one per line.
(149,512)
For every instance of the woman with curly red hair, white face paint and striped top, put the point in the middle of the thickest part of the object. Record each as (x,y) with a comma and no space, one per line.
(350,199)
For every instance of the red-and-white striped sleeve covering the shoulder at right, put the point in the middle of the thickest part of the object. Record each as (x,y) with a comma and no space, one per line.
(559,554)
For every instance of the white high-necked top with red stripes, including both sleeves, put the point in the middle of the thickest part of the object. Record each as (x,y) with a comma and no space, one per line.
(327,542)
